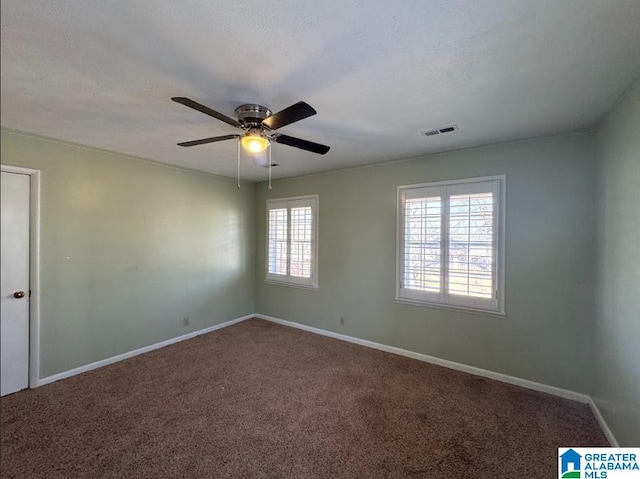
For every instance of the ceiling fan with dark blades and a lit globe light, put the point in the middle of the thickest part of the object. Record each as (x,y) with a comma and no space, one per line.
(259,126)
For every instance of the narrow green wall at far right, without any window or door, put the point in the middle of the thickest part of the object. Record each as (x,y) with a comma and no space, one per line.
(617,386)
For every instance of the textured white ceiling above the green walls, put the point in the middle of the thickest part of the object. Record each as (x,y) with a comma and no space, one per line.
(102,73)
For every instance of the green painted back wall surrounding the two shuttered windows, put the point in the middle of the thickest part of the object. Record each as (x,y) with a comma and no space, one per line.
(547,334)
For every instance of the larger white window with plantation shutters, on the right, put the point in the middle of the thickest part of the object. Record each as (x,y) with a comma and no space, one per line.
(451,244)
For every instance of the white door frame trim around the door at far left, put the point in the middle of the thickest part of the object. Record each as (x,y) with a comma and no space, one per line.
(34,269)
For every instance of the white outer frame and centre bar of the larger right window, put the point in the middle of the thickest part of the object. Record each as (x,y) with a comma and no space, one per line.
(441,300)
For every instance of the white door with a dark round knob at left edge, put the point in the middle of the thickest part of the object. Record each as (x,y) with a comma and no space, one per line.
(14,292)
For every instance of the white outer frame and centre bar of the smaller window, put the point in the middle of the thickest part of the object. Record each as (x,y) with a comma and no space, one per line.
(294,202)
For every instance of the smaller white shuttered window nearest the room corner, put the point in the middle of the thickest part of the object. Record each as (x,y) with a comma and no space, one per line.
(292,246)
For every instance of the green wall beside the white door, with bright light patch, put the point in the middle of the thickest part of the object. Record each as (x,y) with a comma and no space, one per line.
(130,247)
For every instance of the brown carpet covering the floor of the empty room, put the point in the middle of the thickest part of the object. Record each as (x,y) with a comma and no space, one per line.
(259,400)
